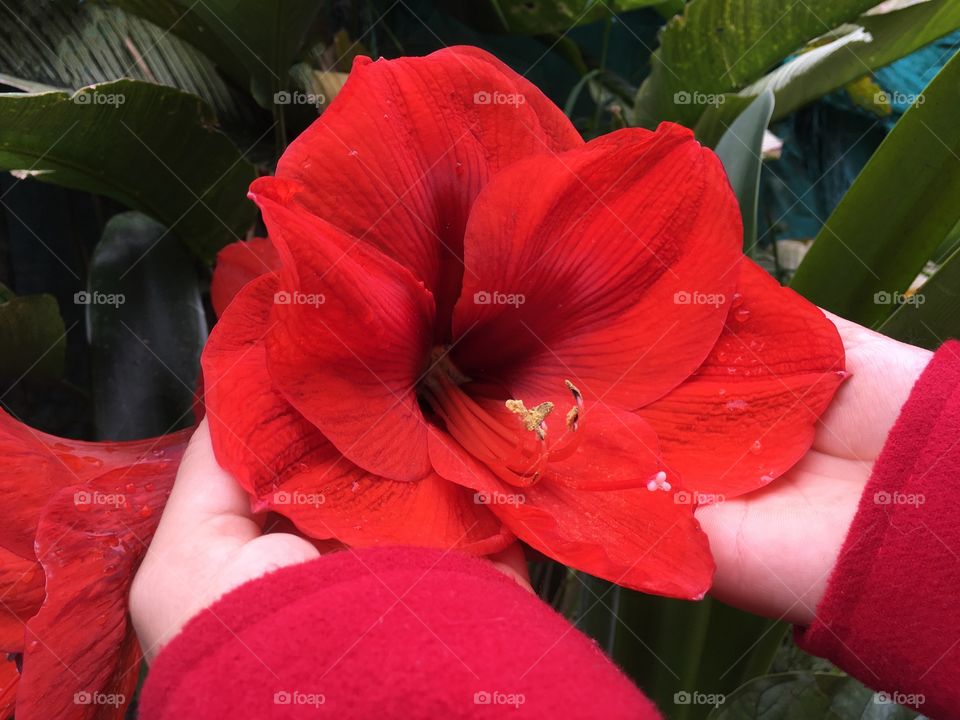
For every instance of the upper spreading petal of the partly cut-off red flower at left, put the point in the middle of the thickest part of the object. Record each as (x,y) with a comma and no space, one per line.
(36,465)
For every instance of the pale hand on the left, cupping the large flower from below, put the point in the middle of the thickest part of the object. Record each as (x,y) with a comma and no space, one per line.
(209,542)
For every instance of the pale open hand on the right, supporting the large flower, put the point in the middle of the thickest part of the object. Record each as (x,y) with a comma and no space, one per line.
(775,548)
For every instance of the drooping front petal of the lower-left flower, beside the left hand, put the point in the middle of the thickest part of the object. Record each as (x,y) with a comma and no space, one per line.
(90,542)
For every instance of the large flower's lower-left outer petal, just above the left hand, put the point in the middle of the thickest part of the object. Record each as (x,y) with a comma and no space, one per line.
(289,466)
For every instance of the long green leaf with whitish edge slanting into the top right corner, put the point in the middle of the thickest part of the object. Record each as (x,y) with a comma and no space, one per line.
(873,42)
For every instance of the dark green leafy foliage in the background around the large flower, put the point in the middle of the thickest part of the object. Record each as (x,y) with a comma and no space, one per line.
(130,130)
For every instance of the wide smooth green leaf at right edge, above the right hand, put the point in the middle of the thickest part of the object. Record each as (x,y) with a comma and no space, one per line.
(895,215)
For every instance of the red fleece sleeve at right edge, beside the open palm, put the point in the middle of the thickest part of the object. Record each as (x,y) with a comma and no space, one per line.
(890,615)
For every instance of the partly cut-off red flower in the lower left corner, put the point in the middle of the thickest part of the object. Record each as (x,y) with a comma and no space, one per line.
(78,517)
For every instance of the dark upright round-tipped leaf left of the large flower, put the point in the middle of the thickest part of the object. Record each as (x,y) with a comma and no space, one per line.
(146,328)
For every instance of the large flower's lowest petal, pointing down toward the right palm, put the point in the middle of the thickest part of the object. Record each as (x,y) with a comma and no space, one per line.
(644,540)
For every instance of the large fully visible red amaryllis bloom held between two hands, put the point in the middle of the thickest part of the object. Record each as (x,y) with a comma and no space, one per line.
(477,327)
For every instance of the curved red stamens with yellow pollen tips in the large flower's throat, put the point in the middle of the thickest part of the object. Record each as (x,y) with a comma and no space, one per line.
(516,445)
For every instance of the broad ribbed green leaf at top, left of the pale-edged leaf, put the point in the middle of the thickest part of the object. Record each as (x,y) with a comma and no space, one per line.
(718,46)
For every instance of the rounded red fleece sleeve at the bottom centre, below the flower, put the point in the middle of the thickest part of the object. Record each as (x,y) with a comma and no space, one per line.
(385,633)
